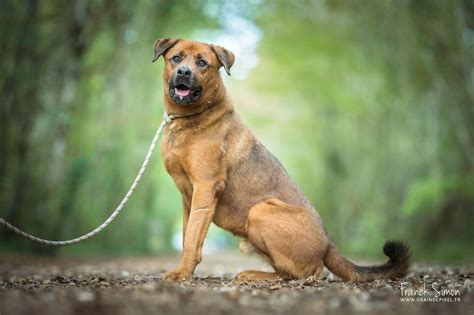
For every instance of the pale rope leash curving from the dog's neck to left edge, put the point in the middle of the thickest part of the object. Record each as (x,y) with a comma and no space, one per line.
(166,120)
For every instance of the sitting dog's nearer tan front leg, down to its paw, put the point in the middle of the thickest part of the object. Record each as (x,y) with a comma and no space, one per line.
(203,207)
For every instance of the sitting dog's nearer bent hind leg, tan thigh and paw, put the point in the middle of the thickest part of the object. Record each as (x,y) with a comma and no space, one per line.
(291,238)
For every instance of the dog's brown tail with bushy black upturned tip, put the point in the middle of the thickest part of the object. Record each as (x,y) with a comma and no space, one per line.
(397,266)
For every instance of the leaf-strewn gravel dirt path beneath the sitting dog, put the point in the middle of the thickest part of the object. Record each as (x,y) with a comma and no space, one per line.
(134,286)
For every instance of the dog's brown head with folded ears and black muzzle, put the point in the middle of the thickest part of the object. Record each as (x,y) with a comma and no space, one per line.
(191,74)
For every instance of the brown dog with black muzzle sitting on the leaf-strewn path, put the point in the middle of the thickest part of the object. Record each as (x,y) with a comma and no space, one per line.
(226,176)
